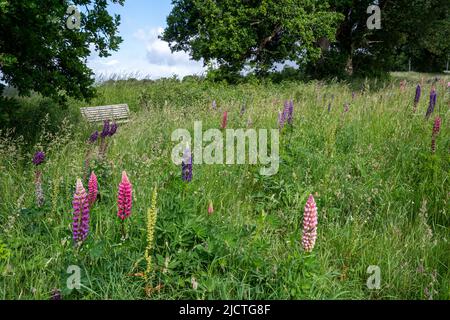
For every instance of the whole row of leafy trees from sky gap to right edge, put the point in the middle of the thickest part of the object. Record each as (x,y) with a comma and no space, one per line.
(326,37)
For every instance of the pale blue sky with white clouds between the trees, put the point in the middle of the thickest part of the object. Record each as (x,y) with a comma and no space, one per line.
(141,53)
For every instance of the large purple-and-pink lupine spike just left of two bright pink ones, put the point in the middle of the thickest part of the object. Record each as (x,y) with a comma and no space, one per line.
(80,213)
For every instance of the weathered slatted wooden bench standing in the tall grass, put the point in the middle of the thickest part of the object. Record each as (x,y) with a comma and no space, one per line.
(118,113)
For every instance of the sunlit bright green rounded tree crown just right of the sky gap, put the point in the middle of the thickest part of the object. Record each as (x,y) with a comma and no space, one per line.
(253,33)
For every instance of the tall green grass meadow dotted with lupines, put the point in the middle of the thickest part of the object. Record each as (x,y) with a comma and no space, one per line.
(382,196)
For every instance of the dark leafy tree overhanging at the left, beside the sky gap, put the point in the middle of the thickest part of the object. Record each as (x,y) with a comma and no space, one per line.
(40,52)
